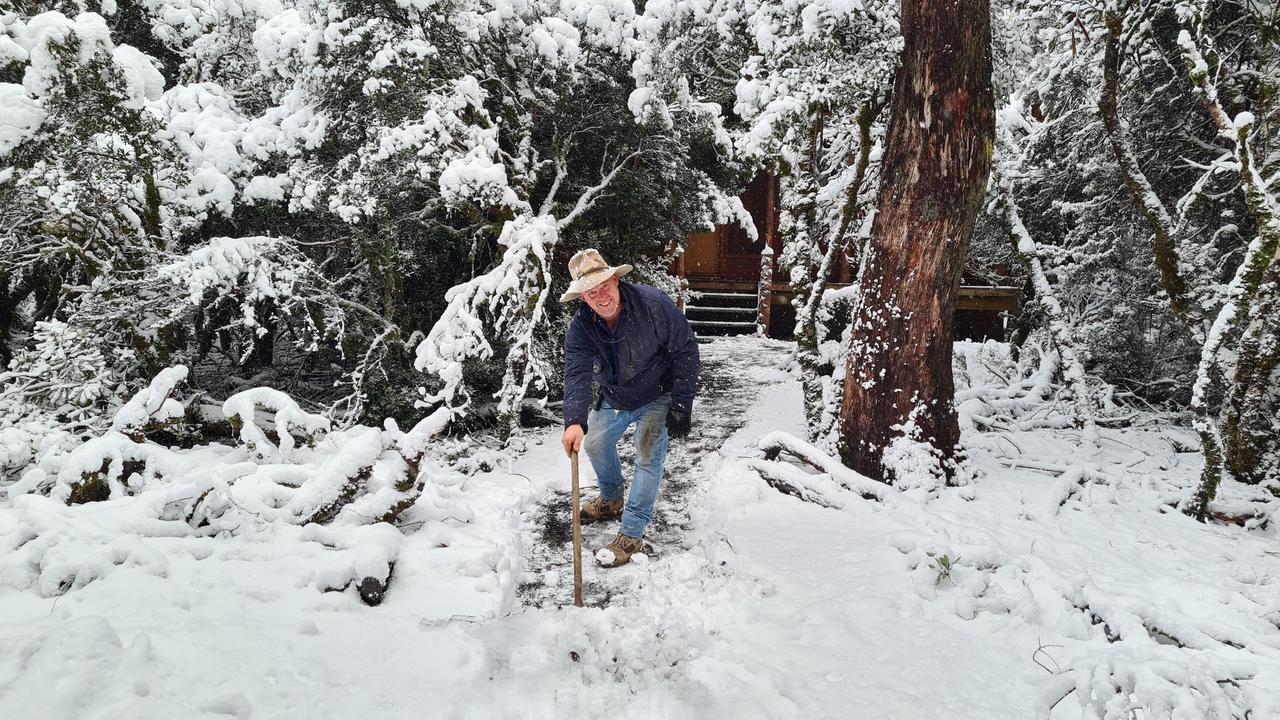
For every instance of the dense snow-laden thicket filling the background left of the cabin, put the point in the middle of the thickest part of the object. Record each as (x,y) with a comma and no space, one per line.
(360,161)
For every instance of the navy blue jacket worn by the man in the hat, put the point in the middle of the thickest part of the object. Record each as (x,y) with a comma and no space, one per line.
(657,353)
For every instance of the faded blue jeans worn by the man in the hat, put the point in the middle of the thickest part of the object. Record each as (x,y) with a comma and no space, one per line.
(605,430)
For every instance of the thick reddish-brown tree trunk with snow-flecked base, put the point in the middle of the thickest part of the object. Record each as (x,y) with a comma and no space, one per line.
(934,179)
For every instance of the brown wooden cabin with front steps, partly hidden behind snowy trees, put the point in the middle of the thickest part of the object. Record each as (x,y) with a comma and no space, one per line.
(728,270)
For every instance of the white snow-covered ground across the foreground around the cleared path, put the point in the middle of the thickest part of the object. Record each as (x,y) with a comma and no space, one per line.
(1062,572)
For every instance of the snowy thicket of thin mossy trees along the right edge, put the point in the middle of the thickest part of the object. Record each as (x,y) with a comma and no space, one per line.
(1131,199)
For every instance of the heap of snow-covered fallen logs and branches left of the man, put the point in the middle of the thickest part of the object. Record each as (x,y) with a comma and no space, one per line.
(84,511)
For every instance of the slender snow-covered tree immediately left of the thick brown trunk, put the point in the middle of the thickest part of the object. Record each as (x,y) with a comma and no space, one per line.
(813,97)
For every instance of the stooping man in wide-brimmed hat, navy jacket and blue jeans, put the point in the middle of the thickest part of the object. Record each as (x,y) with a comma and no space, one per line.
(647,356)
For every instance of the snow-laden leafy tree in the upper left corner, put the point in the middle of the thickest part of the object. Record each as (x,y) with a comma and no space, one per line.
(86,165)
